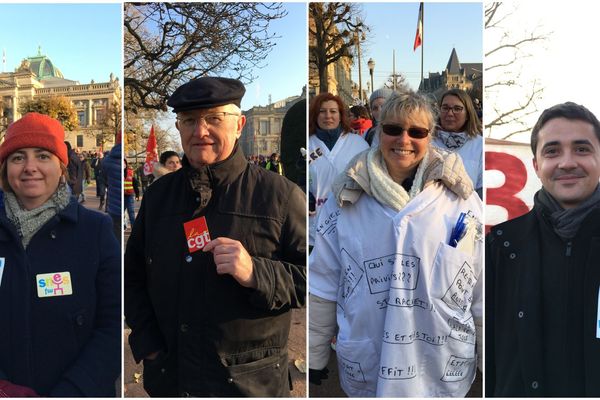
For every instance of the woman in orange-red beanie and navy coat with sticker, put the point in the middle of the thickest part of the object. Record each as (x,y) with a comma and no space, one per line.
(59,274)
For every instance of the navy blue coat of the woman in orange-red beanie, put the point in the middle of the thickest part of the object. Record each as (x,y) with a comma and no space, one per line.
(62,346)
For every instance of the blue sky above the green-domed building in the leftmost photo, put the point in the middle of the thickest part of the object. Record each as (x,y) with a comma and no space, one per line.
(83,40)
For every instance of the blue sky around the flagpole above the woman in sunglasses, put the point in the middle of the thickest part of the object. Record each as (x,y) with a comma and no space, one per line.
(393,27)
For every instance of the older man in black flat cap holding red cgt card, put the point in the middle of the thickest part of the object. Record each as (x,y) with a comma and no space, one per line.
(215,261)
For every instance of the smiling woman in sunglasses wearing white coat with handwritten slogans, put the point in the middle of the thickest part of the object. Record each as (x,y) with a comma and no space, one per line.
(397,257)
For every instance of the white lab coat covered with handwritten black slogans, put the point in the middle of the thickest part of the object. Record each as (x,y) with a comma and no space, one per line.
(406,300)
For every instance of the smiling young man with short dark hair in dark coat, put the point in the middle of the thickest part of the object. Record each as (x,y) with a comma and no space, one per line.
(543,270)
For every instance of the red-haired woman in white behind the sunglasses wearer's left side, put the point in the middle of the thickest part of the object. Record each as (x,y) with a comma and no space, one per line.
(331,145)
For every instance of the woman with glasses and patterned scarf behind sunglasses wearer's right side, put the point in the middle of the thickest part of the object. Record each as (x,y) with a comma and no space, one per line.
(459,130)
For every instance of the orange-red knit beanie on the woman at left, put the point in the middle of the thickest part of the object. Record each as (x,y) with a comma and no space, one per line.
(35,130)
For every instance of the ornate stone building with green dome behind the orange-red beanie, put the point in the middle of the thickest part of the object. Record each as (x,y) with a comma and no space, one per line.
(38,76)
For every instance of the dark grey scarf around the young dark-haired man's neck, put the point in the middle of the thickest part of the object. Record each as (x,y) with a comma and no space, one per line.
(566,222)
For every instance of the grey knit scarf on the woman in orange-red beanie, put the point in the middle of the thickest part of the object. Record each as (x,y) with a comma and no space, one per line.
(28,222)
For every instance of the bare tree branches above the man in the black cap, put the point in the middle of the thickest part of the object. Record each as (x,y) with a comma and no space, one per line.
(167,44)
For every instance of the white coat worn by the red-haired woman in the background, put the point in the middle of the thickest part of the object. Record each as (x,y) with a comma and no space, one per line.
(324,169)
